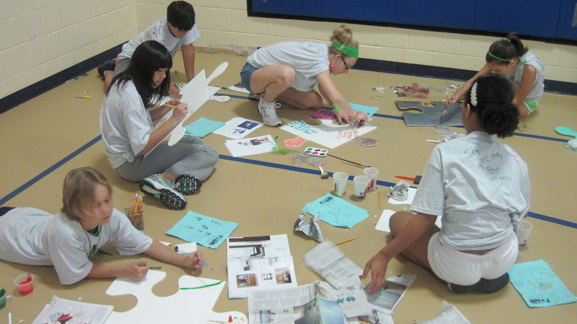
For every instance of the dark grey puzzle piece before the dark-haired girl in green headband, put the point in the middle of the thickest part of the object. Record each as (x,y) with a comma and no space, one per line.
(430,115)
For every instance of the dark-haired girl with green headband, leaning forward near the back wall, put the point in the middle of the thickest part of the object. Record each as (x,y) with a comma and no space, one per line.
(509,58)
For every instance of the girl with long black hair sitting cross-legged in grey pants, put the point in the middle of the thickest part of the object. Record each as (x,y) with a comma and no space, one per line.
(135,148)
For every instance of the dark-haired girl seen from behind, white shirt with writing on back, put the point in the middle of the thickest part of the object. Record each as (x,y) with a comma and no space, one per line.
(480,187)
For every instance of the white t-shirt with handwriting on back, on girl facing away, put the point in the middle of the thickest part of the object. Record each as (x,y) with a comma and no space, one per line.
(479,186)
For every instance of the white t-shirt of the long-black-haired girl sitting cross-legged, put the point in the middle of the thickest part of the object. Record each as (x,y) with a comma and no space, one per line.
(125,124)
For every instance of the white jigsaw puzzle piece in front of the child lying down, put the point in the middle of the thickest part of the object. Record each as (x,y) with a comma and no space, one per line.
(185,306)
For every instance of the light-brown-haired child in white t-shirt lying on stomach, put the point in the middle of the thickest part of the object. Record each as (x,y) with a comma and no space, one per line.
(87,222)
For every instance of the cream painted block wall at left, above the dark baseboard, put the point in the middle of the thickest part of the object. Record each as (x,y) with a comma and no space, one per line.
(42,38)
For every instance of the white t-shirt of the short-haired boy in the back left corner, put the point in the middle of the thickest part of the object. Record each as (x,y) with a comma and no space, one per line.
(159,32)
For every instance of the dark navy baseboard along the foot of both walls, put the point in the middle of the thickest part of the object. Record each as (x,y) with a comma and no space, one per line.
(59,78)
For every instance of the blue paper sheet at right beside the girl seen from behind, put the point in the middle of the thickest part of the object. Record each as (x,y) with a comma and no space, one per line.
(538,284)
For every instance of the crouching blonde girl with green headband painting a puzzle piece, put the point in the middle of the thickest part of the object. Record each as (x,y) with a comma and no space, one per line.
(289,71)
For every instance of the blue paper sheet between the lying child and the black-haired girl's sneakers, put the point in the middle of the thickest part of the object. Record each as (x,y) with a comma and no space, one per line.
(203,230)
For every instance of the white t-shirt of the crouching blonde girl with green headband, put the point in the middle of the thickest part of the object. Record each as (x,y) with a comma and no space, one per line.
(308,59)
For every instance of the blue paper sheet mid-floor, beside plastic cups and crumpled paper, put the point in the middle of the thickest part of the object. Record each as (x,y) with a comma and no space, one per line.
(335,211)
